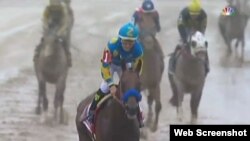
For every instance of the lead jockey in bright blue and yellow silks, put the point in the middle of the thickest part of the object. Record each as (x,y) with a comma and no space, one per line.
(126,48)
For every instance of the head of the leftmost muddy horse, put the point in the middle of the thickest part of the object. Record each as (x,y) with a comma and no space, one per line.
(51,42)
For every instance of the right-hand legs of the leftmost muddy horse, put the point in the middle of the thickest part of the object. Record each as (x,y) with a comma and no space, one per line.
(59,98)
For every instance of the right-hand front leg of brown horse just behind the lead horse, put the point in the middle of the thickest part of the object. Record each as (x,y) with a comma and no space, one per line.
(157,97)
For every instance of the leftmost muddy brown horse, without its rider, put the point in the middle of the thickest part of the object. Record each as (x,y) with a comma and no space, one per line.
(51,67)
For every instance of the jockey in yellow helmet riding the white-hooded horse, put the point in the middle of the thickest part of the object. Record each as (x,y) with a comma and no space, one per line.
(191,18)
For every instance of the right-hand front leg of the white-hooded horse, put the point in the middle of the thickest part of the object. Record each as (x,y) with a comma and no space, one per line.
(194,103)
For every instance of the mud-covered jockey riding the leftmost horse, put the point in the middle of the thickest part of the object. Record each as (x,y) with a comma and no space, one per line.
(56,16)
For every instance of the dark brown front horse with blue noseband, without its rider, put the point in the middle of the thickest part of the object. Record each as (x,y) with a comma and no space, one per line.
(116,119)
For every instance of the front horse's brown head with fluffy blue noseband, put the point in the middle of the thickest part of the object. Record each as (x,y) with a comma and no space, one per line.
(129,89)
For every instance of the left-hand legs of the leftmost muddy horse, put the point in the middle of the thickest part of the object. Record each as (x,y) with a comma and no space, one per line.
(41,97)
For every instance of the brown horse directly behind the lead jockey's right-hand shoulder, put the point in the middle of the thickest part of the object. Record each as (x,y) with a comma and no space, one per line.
(153,67)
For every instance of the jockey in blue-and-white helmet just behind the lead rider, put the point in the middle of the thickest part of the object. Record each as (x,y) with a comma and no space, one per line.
(147,18)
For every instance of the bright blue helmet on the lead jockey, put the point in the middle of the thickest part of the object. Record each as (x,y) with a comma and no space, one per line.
(129,31)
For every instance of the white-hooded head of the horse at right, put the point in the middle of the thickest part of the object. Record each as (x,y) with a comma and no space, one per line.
(198,45)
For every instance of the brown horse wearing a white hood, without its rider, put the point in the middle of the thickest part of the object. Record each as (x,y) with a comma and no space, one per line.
(189,75)
